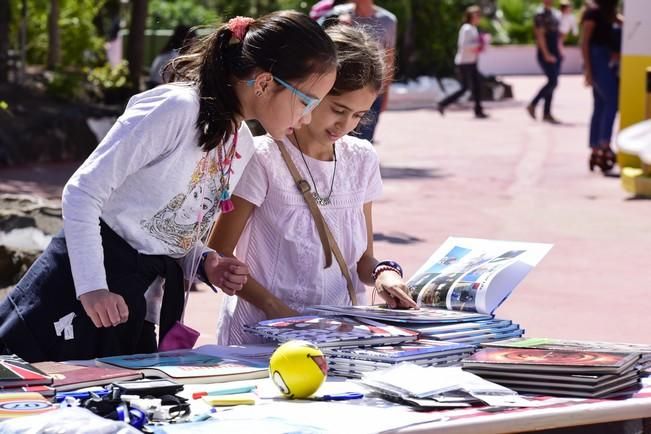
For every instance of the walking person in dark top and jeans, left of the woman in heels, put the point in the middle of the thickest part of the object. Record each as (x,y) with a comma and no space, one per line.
(548,53)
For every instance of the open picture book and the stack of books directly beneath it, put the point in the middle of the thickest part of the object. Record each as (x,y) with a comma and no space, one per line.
(458,289)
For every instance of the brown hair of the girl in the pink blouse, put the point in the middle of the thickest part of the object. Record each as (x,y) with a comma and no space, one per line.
(360,60)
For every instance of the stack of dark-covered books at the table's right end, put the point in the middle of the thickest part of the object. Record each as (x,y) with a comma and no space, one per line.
(586,374)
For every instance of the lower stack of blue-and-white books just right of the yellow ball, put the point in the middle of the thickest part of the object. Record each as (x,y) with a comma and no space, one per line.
(354,362)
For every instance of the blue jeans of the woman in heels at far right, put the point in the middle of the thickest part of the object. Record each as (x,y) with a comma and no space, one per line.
(605,90)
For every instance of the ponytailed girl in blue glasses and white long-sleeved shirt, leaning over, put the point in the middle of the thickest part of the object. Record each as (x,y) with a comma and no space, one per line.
(138,207)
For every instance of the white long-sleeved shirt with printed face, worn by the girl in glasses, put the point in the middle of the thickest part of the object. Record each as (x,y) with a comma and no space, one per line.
(149,181)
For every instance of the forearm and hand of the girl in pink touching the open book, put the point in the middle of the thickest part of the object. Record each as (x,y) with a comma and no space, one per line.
(388,284)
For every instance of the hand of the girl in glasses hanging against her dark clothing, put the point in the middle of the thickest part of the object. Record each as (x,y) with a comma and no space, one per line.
(105,308)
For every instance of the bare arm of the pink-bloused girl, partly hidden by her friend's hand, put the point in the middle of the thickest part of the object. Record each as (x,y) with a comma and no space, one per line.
(224,237)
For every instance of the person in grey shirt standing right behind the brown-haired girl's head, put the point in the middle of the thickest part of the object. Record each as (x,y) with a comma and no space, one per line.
(382,24)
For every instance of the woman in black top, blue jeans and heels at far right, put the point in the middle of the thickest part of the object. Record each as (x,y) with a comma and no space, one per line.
(600,45)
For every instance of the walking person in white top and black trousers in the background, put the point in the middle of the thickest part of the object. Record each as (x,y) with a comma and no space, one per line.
(469,45)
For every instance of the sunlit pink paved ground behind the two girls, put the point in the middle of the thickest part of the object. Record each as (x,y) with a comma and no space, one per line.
(510,178)
